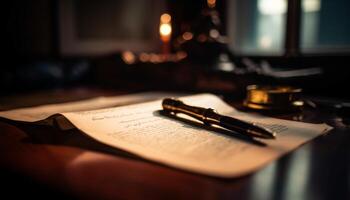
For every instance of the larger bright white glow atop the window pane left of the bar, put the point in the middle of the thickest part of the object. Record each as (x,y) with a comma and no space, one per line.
(272,7)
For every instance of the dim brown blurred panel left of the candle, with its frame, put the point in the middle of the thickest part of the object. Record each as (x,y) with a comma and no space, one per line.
(90,27)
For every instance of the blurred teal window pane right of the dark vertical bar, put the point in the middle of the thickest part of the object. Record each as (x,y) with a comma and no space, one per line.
(325,25)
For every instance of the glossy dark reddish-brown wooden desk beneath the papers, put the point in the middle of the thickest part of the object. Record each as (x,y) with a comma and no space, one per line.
(45,162)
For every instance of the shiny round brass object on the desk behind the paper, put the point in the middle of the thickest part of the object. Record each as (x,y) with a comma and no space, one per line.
(281,98)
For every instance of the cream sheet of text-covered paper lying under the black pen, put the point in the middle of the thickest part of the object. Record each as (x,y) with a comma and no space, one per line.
(186,144)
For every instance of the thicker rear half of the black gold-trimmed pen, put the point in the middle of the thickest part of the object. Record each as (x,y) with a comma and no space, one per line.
(206,115)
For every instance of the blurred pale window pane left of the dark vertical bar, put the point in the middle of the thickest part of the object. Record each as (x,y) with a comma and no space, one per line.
(257,26)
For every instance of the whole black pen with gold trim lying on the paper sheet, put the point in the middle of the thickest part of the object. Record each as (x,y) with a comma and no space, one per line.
(209,116)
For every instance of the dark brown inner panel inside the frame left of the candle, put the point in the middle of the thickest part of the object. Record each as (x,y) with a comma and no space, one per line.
(113,19)
